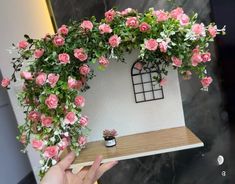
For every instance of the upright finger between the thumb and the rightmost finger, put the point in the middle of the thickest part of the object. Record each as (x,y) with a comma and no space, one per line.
(91,175)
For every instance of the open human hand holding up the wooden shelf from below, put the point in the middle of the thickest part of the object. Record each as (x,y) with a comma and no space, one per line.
(60,173)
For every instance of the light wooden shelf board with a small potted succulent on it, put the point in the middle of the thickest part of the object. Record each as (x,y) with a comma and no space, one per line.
(139,145)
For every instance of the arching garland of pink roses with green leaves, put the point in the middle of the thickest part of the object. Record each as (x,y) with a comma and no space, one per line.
(57,68)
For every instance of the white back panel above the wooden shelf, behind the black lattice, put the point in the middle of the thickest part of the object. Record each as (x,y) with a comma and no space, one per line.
(110,103)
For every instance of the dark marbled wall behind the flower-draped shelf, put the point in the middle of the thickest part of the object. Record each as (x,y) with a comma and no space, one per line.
(210,115)
